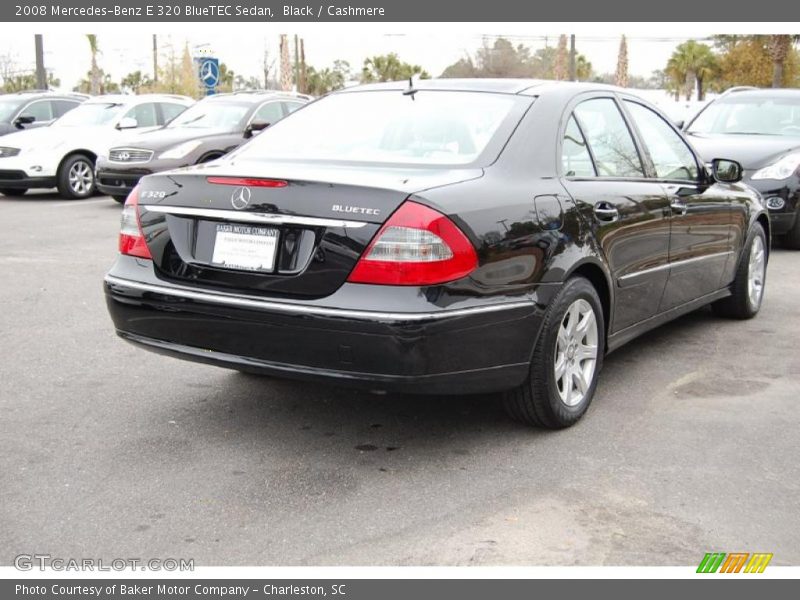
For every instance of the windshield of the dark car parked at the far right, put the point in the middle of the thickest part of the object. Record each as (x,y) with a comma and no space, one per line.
(756,115)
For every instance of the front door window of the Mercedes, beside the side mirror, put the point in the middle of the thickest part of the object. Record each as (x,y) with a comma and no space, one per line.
(671,157)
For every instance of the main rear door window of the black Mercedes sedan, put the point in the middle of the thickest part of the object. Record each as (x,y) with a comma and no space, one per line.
(612,145)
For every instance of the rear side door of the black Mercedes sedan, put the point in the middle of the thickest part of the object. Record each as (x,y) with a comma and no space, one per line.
(628,212)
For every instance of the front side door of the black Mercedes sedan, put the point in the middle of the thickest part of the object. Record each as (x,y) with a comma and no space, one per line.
(700,241)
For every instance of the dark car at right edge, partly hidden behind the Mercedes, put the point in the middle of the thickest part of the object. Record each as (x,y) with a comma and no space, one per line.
(761,130)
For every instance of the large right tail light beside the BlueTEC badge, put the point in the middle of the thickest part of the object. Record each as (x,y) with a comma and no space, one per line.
(416,246)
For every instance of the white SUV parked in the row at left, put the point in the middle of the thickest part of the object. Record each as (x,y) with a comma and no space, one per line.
(63,155)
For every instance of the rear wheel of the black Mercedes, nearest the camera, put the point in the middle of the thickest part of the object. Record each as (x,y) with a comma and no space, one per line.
(566,360)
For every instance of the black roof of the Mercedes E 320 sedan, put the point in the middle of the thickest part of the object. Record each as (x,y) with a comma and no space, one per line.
(527,87)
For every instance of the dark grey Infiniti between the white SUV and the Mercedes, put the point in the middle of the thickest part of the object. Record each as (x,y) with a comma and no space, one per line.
(209,129)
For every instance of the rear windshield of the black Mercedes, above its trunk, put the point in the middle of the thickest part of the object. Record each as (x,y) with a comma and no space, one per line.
(427,128)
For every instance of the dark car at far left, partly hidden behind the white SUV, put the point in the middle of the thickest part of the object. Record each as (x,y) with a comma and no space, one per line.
(35,108)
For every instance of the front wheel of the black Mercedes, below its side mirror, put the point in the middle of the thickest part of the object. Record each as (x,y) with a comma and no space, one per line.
(747,289)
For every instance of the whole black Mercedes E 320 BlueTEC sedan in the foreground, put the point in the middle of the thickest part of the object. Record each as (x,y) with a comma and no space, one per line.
(440,237)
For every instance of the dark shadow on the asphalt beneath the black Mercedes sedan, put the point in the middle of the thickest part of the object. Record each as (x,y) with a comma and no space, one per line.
(269,411)
